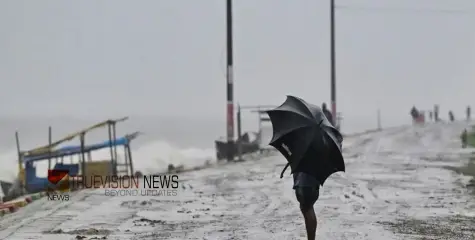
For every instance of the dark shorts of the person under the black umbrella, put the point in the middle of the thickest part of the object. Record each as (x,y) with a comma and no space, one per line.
(307,189)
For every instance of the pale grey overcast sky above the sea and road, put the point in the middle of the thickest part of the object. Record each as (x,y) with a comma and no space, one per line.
(167,57)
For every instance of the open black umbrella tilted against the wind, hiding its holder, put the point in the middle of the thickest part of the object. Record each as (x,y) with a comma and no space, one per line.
(301,131)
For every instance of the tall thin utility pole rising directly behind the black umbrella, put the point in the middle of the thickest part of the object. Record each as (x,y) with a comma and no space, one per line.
(332,59)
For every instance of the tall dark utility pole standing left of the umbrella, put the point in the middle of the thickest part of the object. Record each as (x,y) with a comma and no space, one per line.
(229,80)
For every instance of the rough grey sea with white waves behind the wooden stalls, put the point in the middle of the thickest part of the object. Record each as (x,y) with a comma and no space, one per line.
(164,140)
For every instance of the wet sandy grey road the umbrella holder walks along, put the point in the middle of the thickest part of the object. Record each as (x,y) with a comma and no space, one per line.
(395,179)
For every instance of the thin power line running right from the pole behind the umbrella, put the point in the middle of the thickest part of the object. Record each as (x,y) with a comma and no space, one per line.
(405,10)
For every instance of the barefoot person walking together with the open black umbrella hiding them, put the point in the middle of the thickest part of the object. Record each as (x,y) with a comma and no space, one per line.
(313,164)
